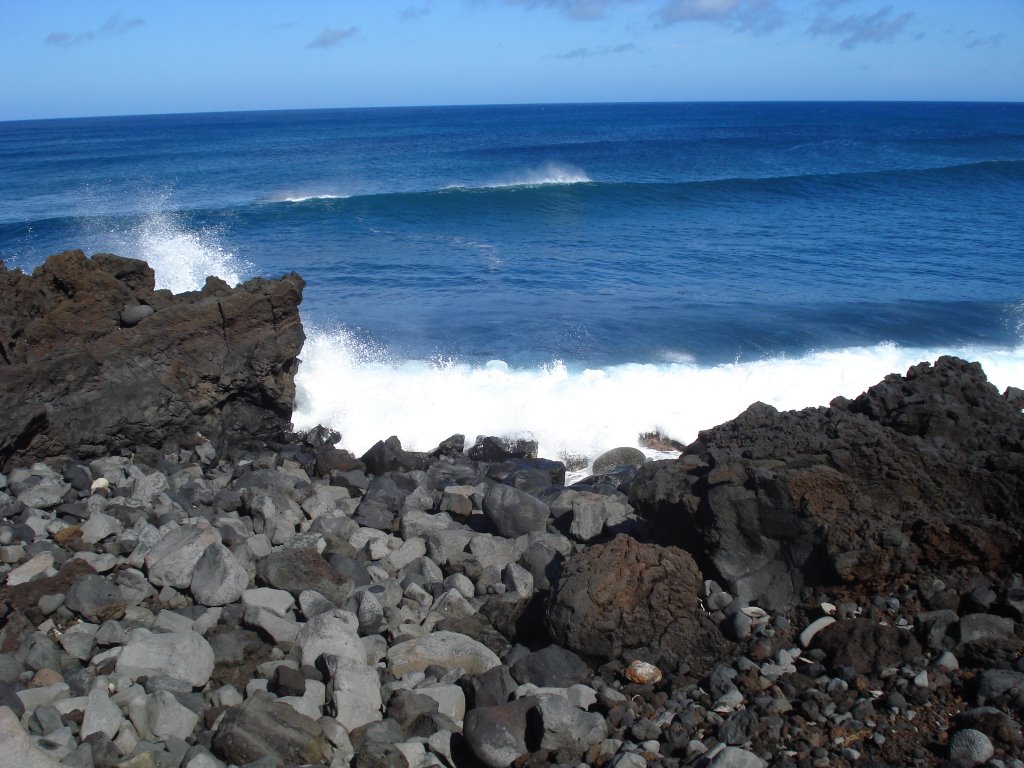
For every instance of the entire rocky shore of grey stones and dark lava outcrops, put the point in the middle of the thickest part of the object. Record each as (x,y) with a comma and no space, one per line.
(832,587)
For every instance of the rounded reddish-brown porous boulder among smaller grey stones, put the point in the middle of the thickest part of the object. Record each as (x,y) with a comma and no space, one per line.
(627,598)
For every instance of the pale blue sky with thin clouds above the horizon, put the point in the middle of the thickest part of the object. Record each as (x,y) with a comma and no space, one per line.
(88,58)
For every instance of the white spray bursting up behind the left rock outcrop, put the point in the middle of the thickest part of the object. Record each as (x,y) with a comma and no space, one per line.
(181,257)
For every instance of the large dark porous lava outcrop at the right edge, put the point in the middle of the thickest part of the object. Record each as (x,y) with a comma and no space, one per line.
(923,473)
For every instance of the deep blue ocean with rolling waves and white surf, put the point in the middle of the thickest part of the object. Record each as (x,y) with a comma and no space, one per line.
(581,274)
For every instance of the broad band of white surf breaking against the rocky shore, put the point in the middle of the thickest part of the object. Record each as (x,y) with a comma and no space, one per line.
(367,397)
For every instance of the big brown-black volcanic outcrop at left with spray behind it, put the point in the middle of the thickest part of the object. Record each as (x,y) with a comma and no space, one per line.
(78,380)
